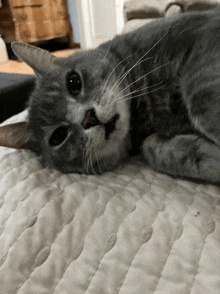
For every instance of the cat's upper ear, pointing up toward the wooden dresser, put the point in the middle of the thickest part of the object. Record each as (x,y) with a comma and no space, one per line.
(39,60)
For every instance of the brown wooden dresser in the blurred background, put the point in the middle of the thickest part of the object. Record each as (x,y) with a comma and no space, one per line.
(35,20)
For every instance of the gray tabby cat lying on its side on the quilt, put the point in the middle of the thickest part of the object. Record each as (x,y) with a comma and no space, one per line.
(155,90)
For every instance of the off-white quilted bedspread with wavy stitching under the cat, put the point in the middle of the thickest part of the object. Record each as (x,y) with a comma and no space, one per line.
(132,231)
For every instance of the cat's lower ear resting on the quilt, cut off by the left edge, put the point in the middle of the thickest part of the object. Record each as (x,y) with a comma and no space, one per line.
(16,136)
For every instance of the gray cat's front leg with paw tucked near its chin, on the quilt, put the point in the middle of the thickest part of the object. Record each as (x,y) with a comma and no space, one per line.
(183,156)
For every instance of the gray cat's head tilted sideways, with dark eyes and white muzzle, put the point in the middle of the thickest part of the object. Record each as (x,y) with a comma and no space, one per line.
(76,113)
